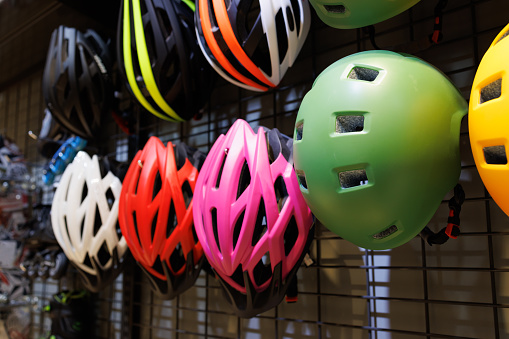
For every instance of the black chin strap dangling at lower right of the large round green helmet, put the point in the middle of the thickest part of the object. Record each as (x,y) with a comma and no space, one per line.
(452,230)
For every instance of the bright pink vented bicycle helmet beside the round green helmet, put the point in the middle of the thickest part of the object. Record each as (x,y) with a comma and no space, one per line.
(251,218)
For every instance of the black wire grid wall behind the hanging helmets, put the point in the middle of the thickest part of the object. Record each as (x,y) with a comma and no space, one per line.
(457,290)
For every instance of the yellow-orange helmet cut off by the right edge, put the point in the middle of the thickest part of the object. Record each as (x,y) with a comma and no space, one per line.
(488,120)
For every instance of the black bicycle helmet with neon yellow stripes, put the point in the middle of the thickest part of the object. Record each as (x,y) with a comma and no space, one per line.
(160,58)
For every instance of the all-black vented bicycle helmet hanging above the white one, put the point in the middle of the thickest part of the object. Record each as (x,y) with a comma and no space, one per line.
(76,80)
